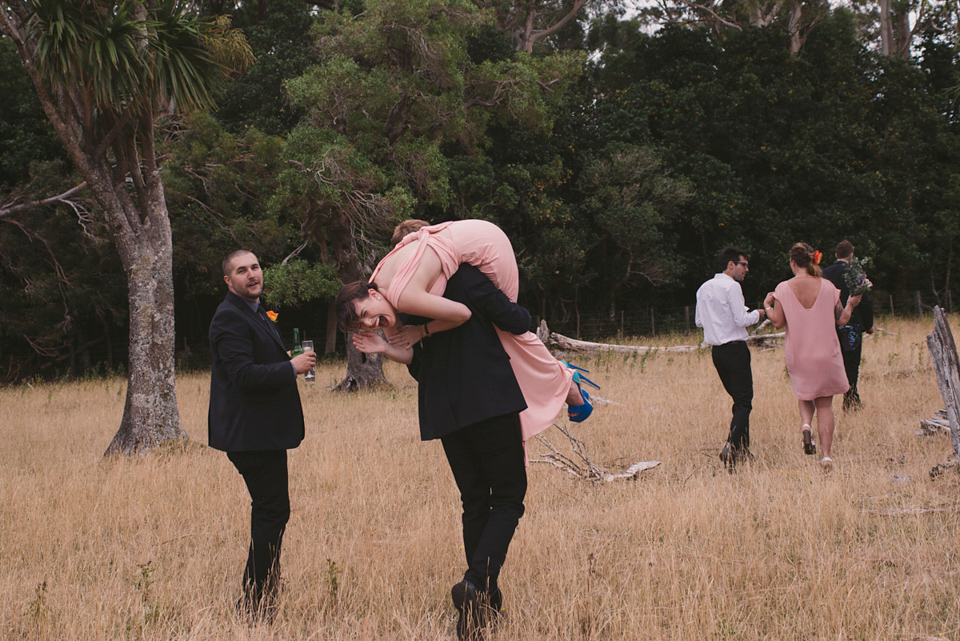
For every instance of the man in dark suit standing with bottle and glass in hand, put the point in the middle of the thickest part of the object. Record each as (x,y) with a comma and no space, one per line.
(255,416)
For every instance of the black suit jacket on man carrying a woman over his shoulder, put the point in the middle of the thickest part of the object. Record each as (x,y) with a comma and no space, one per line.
(464,374)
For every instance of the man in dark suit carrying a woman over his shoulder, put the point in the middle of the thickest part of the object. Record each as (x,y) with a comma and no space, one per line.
(469,399)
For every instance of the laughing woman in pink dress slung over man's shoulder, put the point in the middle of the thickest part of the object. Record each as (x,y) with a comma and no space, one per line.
(411,280)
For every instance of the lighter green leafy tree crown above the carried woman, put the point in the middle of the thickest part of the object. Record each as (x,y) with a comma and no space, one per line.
(402,94)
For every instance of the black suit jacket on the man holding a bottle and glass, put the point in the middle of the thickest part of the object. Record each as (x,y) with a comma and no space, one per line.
(254,401)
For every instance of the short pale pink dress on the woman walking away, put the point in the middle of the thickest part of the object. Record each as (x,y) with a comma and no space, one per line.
(813,353)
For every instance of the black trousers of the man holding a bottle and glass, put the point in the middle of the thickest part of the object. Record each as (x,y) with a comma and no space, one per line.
(265,473)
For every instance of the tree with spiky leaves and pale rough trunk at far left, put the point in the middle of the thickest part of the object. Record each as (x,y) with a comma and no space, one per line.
(106,73)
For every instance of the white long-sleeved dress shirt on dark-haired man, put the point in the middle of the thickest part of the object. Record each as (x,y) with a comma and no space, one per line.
(721,311)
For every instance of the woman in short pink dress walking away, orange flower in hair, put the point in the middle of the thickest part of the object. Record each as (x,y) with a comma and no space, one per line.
(809,306)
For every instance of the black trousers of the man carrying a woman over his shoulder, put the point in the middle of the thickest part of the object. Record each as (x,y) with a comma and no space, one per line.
(486,459)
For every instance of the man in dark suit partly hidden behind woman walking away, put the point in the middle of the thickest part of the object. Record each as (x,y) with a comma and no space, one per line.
(851,334)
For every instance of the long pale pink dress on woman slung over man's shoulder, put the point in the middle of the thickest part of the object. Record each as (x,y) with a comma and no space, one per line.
(543,380)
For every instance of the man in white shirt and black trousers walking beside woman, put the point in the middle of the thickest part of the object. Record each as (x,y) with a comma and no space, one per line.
(724,318)
